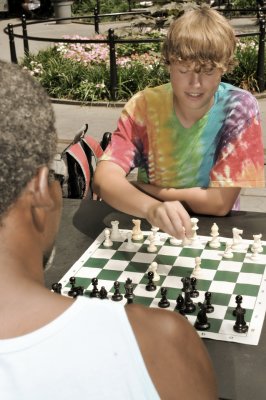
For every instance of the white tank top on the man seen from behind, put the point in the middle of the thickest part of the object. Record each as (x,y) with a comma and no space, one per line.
(88,352)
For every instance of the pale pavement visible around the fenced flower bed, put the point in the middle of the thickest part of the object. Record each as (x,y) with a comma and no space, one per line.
(101,118)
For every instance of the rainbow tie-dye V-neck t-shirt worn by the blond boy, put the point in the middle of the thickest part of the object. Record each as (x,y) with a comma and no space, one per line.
(224,148)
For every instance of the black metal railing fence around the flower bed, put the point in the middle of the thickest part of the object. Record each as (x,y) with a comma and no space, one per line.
(112,41)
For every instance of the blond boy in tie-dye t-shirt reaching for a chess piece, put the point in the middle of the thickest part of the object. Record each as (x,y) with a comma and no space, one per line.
(196,141)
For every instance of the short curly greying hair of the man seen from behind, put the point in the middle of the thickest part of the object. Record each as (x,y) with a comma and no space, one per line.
(27,132)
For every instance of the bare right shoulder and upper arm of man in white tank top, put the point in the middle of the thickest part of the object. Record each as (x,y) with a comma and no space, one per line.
(175,356)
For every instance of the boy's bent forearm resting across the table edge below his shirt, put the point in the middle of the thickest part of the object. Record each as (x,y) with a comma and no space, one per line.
(210,201)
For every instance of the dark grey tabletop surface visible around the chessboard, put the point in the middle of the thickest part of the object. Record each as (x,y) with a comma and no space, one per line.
(240,368)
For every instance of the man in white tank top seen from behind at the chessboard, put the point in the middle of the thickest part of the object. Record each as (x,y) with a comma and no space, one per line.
(52,346)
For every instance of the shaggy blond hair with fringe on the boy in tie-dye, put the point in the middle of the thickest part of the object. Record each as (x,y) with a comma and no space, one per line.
(203,36)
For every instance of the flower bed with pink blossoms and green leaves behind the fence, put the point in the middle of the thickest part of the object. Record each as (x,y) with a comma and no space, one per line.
(81,71)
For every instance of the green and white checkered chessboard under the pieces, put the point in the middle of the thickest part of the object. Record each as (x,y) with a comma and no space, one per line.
(224,278)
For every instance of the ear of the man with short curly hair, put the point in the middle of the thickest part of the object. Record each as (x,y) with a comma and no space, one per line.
(40,189)
